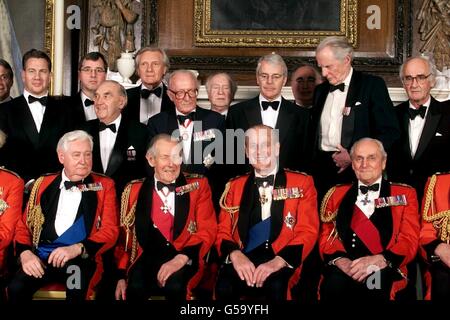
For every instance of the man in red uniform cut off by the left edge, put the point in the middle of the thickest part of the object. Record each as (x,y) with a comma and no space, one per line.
(11,194)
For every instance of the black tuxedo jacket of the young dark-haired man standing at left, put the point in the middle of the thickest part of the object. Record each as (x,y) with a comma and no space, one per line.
(28,152)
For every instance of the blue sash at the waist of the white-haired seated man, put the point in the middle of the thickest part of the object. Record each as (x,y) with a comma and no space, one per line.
(76,233)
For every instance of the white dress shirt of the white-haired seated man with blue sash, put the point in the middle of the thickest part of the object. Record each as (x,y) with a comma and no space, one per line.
(68,203)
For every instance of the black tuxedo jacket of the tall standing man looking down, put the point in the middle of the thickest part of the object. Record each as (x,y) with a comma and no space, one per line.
(371,112)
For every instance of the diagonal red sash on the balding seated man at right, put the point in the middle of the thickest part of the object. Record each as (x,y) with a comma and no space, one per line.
(366,231)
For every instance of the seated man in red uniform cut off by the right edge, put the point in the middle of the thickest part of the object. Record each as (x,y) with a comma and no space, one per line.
(434,237)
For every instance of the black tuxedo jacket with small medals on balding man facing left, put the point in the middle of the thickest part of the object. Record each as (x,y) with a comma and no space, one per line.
(124,164)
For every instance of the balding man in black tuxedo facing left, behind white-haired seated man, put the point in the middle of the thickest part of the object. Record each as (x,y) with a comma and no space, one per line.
(119,144)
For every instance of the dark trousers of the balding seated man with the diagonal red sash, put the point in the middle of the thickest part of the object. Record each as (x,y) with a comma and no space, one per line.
(337,286)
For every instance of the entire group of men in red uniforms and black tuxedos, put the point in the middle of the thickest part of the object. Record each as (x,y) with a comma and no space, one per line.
(160,212)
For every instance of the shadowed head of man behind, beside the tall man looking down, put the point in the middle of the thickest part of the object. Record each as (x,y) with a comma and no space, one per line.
(303,82)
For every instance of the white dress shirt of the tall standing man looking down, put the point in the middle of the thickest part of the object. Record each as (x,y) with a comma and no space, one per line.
(332,116)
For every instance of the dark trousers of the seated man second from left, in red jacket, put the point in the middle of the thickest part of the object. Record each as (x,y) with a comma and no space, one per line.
(142,281)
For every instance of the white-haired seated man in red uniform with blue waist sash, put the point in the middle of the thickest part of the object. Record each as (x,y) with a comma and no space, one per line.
(70,220)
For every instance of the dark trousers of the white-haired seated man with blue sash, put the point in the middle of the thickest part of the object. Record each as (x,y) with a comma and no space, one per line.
(22,287)
